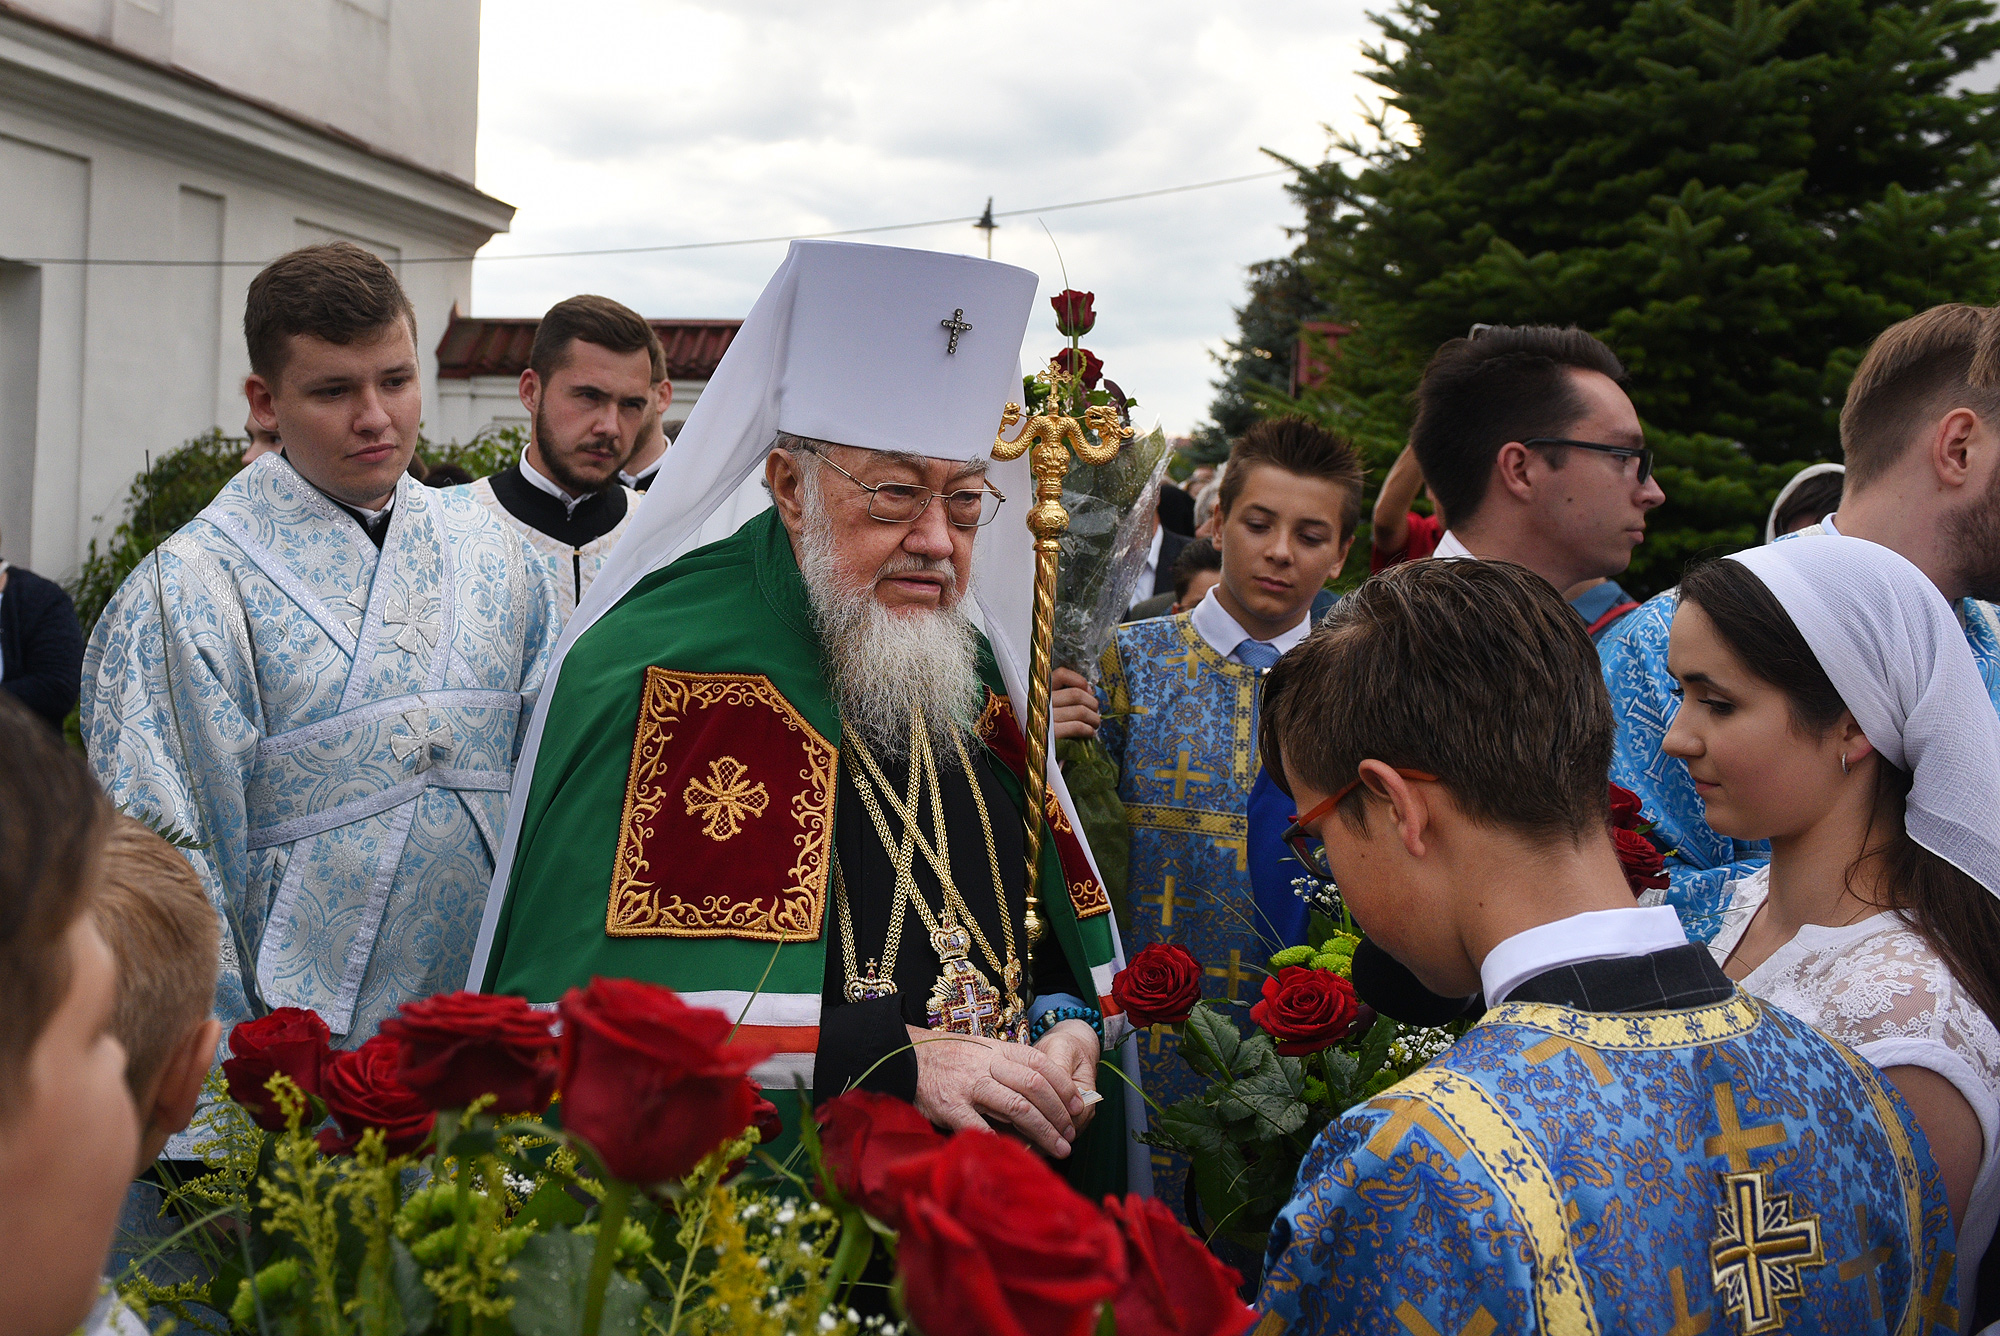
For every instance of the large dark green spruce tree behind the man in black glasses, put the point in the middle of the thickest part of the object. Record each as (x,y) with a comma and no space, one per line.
(1737,197)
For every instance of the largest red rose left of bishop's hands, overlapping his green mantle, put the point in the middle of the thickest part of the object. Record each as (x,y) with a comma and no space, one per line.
(649,1081)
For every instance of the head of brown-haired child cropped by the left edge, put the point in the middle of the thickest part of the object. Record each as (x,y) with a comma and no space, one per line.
(69,1131)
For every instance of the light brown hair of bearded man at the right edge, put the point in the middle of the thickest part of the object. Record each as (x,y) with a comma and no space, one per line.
(1915,373)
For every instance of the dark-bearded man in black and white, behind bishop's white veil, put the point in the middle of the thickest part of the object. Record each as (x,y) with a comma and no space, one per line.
(591,389)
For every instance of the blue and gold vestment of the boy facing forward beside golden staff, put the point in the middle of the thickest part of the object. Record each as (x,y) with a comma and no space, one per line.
(1181,723)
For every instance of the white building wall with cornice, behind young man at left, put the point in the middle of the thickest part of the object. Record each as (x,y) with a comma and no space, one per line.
(115,161)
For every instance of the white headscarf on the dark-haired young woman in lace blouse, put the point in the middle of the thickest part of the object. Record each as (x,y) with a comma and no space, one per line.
(1899,659)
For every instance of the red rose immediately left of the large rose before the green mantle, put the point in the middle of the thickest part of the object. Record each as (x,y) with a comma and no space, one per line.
(463,1045)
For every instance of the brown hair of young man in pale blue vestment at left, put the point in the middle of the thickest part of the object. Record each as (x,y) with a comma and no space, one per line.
(333,291)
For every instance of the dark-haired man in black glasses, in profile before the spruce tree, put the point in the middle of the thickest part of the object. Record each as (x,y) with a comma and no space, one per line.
(1535,453)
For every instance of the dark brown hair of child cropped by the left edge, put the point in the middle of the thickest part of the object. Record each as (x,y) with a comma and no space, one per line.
(51,827)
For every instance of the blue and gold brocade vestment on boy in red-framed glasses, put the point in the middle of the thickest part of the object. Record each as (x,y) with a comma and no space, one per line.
(1681,1173)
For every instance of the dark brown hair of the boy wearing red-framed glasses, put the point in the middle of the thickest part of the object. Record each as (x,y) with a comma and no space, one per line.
(1477,673)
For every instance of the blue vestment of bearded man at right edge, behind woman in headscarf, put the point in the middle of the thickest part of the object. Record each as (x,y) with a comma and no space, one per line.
(1645,707)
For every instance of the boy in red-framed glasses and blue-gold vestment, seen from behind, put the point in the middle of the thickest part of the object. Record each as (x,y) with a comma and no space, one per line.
(1625,1143)
